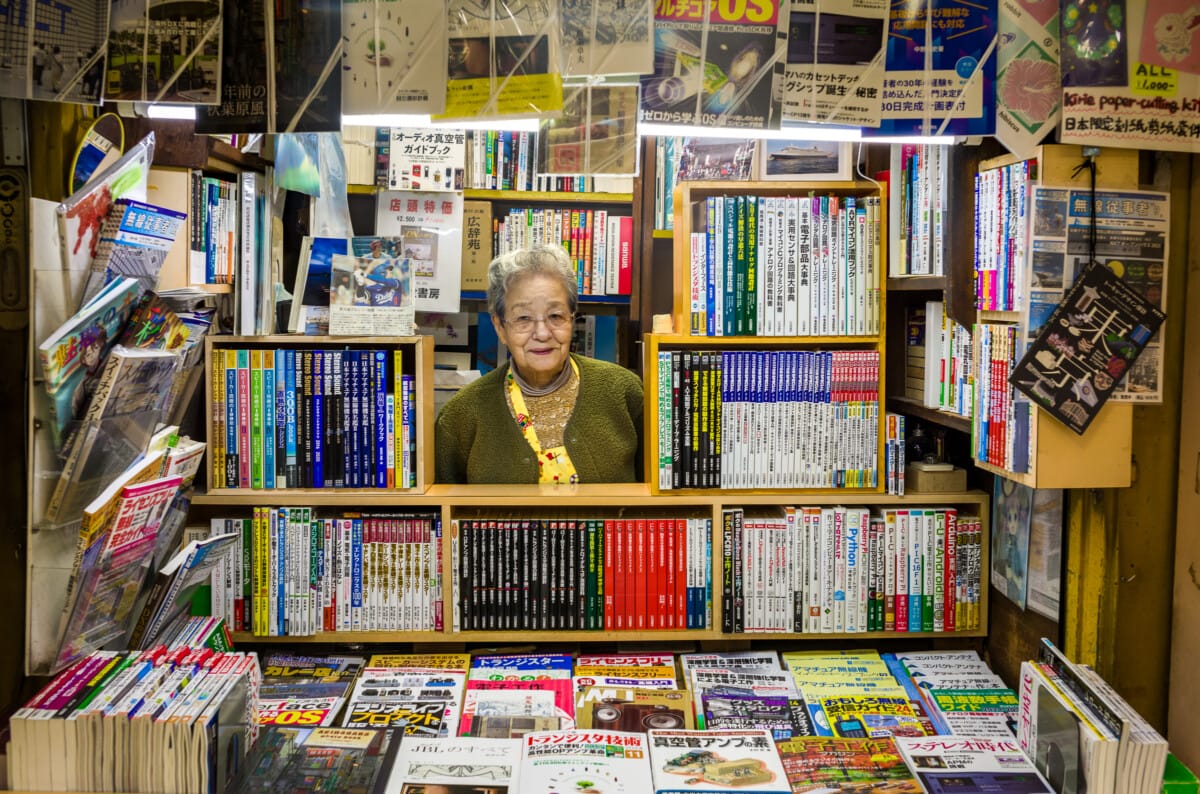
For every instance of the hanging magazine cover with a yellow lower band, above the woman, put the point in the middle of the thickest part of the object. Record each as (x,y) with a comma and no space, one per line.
(520,77)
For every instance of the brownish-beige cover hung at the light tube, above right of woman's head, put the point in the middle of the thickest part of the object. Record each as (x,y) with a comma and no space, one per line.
(596,135)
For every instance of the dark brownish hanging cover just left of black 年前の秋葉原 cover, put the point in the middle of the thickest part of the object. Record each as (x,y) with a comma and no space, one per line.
(164,52)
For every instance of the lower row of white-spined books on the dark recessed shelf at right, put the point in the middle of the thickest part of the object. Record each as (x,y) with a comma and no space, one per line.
(939,360)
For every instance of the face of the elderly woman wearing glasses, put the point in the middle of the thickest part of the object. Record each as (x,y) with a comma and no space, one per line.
(541,352)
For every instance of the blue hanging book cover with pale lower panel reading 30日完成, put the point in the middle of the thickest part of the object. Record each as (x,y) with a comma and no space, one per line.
(941,69)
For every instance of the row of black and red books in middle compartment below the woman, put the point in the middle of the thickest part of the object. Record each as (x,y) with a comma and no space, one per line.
(592,574)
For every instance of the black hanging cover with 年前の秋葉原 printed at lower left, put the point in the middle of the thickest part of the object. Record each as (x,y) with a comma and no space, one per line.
(286,85)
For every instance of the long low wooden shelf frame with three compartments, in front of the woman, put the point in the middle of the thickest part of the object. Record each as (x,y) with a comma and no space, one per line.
(616,501)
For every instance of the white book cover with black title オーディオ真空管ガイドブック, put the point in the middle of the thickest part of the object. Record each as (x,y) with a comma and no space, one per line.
(427,160)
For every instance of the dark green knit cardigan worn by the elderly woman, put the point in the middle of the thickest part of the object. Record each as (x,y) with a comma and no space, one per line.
(478,441)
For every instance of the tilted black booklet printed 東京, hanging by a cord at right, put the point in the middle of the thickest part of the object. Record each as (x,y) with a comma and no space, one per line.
(1090,341)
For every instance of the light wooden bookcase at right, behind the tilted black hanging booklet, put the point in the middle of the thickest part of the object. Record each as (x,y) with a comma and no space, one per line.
(1058,458)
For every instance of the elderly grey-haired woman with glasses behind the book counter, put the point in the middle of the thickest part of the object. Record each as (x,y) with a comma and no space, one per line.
(548,416)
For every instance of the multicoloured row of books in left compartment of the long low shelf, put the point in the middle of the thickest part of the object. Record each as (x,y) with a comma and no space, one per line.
(292,574)
